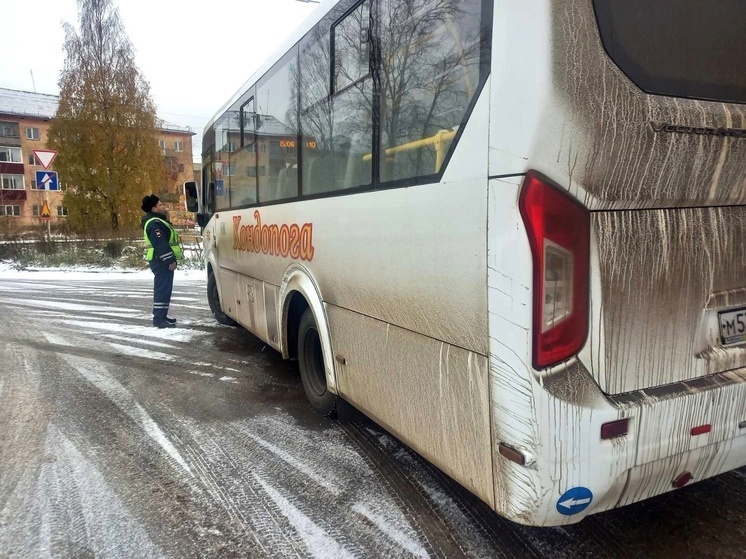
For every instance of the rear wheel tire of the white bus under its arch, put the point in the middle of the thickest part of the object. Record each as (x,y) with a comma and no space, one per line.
(311,364)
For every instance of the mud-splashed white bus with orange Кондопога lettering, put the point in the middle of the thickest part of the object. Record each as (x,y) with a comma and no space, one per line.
(510,232)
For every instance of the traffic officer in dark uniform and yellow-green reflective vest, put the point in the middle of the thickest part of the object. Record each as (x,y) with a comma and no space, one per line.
(163,252)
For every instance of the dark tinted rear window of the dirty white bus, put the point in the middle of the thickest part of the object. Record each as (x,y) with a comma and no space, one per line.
(682,48)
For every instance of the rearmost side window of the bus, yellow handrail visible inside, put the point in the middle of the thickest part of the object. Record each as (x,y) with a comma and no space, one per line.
(429,76)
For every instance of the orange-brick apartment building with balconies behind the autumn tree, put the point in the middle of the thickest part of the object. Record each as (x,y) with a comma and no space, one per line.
(25,119)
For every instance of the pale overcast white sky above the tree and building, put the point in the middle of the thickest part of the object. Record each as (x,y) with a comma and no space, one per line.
(194,54)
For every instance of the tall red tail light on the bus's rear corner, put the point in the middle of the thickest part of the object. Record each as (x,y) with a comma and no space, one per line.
(558,228)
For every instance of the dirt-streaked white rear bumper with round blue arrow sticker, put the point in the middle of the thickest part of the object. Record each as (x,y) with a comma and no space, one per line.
(569,460)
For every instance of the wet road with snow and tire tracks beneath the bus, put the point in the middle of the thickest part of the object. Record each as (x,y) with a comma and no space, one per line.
(121,440)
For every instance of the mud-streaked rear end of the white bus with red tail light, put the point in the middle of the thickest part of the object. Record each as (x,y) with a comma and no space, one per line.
(617,261)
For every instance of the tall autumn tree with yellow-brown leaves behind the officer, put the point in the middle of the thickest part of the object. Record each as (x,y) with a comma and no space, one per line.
(105,125)
